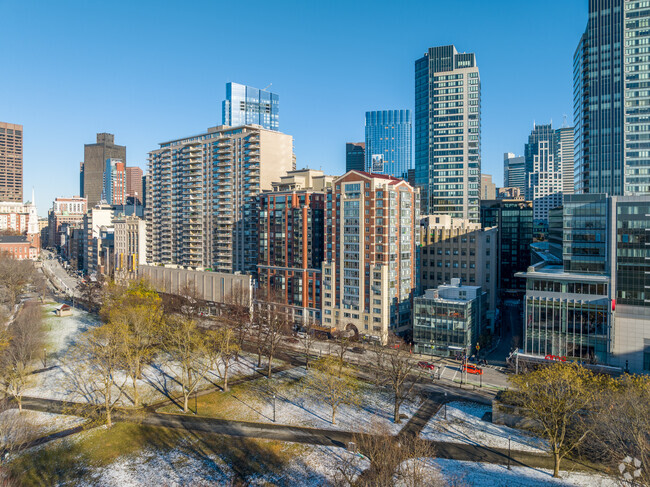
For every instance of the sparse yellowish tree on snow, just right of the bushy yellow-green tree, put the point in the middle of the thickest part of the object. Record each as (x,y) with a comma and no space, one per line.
(189,354)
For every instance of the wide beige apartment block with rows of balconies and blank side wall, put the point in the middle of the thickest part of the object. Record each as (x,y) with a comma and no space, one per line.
(202,206)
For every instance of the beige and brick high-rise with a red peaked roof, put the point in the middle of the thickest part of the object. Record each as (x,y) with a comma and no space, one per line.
(369,272)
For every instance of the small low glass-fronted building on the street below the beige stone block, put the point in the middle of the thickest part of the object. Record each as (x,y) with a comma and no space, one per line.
(447,320)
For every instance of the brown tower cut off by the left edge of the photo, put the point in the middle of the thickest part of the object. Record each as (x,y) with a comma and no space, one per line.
(11,162)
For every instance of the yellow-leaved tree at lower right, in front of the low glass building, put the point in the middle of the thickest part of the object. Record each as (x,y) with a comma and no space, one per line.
(555,397)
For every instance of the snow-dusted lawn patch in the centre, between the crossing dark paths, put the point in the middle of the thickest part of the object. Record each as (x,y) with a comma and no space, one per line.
(296,405)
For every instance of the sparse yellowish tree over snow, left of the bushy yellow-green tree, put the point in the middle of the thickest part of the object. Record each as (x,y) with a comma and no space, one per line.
(96,362)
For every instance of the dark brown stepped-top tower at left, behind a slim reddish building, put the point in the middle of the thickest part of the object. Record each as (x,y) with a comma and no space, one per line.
(91,176)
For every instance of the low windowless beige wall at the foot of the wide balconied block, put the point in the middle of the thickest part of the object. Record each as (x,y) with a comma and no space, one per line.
(211,286)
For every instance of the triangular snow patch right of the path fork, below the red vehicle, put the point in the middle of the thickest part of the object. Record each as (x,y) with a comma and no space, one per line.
(464,425)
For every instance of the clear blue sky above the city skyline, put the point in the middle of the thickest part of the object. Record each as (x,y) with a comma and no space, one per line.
(151,71)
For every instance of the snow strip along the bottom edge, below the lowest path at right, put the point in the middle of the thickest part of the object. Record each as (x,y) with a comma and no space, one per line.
(474,473)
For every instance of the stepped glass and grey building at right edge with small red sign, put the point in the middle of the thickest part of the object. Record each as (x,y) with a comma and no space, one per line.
(595,307)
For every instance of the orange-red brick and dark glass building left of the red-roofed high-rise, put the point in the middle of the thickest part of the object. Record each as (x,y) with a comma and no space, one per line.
(291,242)
